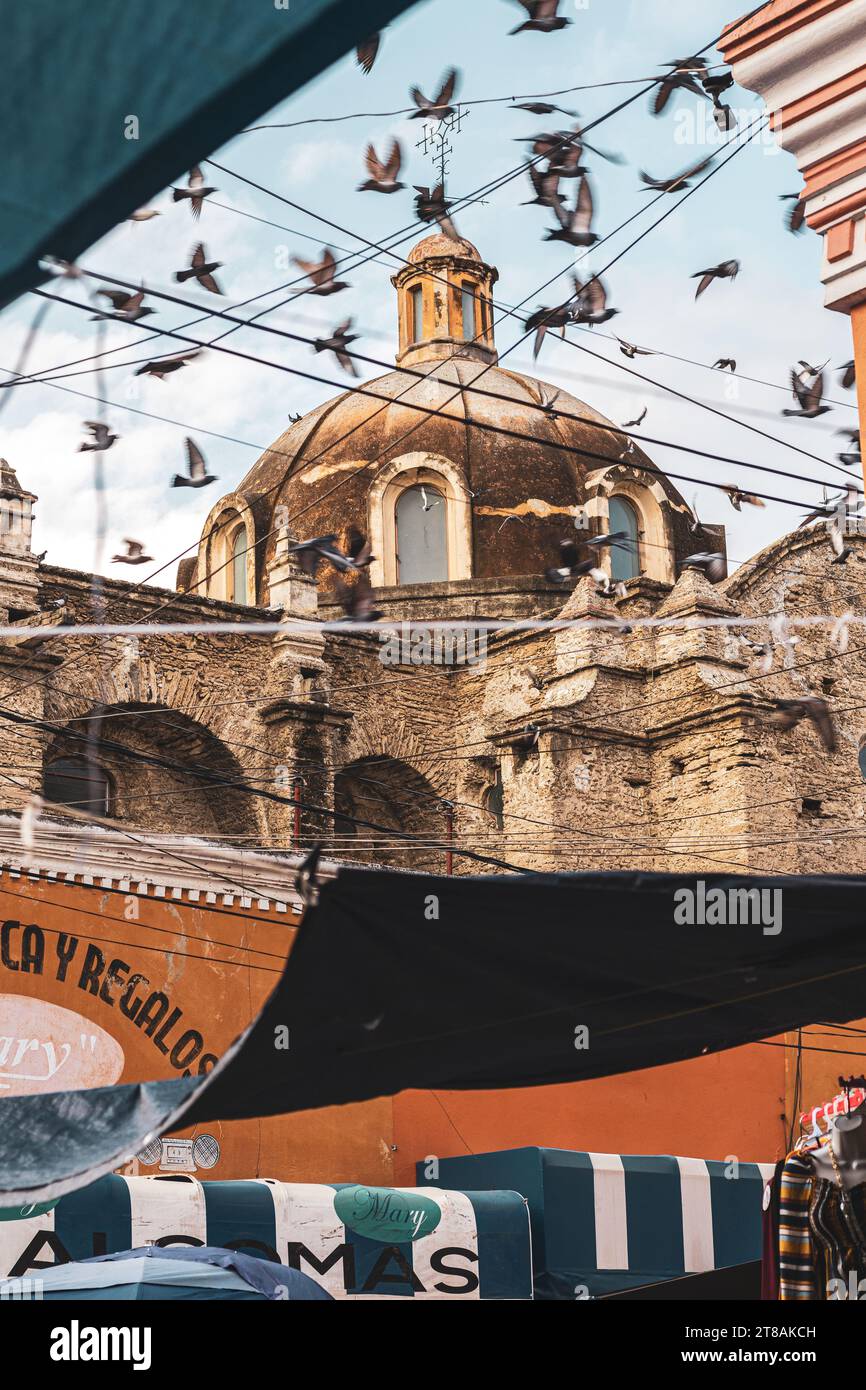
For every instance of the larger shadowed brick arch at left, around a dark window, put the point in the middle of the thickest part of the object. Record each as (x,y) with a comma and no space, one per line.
(161,799)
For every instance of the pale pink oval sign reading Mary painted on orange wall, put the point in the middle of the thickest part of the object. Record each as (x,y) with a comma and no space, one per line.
(45,1047)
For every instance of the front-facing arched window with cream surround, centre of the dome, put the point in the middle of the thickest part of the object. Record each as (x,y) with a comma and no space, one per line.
(436,544)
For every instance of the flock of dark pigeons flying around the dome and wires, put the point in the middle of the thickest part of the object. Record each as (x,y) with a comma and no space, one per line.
(555,163)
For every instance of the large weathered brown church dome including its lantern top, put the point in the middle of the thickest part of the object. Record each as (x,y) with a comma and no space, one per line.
(454,466)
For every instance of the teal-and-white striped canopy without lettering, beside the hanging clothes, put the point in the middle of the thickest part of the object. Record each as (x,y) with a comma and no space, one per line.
(604,1223)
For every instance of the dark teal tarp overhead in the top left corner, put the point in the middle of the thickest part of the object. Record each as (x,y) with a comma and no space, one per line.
(193,73)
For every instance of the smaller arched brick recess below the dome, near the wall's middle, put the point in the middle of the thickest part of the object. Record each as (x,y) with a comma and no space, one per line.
(398,797)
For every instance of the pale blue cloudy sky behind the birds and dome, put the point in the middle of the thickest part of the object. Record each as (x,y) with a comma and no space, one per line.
(768,319)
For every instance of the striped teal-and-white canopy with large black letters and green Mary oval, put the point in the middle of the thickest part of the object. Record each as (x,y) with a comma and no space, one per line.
(354,1241)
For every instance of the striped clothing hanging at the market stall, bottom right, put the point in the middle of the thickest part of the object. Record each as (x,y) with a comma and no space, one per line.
(818,1242)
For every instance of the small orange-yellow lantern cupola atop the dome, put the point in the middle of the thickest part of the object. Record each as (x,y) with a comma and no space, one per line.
(446,302)
